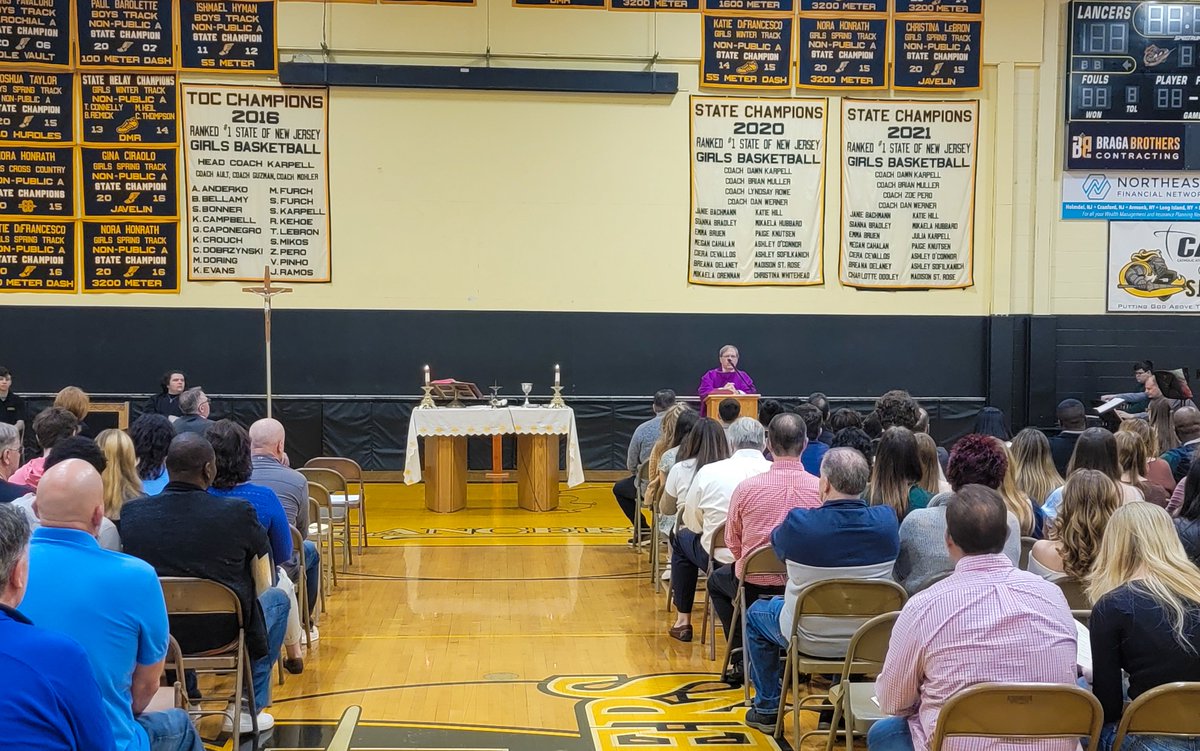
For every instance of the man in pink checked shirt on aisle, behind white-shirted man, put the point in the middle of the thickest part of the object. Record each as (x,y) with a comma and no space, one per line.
(759,506)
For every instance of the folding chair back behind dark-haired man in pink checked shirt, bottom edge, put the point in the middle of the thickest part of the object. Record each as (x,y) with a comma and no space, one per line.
(1023,712)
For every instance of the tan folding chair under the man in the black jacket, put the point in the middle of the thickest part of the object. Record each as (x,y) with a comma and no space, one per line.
(194,597)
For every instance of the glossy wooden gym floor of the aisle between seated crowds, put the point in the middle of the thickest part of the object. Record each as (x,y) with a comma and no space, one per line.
(497,628)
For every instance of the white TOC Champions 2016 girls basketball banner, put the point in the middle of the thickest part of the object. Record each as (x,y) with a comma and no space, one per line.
(259,183)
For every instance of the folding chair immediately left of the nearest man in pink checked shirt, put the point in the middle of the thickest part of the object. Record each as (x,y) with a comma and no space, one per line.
(853,699)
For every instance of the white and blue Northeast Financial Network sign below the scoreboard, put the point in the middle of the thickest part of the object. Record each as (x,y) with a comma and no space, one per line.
(1138,197)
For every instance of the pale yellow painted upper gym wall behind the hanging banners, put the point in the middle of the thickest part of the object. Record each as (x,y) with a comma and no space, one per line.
(547,202)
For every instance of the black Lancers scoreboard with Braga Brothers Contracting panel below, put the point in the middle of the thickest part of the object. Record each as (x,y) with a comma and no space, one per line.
(1133,92)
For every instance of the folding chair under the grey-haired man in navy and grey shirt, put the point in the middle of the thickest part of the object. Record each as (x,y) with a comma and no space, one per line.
(833,600)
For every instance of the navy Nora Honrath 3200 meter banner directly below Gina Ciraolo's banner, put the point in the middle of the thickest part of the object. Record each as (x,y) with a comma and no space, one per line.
(130,256)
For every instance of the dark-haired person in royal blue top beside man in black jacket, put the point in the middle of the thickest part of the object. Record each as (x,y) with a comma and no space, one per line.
(231,447)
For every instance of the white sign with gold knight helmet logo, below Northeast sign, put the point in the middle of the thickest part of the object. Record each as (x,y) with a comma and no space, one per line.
(1154,268)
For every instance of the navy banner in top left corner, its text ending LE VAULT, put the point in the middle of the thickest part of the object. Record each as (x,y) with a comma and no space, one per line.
(37,33)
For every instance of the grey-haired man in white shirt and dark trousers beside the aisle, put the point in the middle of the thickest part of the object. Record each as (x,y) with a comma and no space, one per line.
(706,508)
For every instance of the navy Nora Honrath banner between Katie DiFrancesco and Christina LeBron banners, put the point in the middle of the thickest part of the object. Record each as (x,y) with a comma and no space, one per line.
(843,53)
